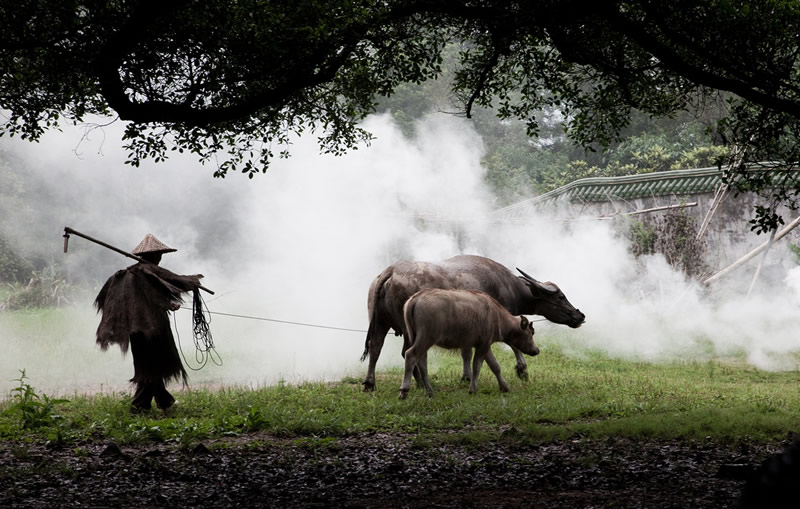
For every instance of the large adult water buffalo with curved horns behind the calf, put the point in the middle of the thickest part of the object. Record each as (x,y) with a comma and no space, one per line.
(521,295)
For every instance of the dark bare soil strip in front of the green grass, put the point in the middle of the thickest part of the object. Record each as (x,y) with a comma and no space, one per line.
(378,471)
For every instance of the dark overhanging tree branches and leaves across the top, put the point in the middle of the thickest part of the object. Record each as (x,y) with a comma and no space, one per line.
(231,80)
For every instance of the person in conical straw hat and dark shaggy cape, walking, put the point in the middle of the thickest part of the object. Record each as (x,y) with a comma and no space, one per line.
(135,303)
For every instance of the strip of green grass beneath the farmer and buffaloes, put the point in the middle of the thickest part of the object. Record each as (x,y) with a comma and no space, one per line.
(593,396)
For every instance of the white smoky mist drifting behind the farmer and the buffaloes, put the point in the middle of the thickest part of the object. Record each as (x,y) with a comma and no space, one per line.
(302,243)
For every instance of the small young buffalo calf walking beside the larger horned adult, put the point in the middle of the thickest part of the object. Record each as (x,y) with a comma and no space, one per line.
(458,319)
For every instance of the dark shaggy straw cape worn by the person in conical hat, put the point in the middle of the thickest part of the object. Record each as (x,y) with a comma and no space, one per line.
(136,300)
